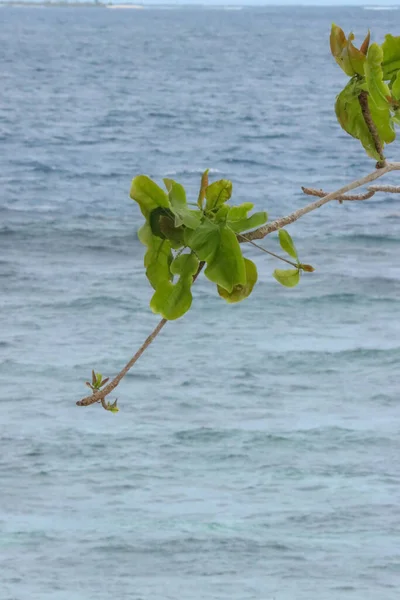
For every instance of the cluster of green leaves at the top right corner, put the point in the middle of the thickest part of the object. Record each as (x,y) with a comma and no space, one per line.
(374,69)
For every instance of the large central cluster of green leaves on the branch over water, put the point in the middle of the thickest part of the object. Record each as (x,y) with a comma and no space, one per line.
(179,236)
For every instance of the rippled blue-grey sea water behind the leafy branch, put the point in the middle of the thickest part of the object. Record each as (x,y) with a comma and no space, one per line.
(256,454)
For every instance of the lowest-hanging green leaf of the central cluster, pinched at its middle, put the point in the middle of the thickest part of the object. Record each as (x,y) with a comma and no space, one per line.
(172,300)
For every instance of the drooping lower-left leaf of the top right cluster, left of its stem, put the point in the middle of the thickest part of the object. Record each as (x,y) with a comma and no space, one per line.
(349,115)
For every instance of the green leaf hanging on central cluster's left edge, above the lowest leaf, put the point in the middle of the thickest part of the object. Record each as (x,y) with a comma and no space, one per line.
(158,257)
